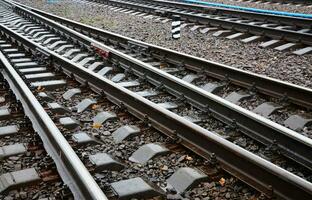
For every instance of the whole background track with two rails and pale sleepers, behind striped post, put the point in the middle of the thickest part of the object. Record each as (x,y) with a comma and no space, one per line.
(279,32)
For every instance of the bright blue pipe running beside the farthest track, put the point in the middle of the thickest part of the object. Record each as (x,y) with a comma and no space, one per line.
(301,15)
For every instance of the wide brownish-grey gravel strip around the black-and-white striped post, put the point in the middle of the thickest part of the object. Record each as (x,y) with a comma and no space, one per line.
(269,62)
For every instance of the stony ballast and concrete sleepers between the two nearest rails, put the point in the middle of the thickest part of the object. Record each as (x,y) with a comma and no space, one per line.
(90,147)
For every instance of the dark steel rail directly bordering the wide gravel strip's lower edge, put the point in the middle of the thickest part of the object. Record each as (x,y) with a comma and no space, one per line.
(298,95)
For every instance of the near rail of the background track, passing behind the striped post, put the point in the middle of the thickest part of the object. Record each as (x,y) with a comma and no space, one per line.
(280,34)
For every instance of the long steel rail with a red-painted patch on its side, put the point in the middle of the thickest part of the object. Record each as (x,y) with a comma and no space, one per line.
(291,144)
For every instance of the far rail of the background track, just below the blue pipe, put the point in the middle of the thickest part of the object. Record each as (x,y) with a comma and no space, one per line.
(284,20)
